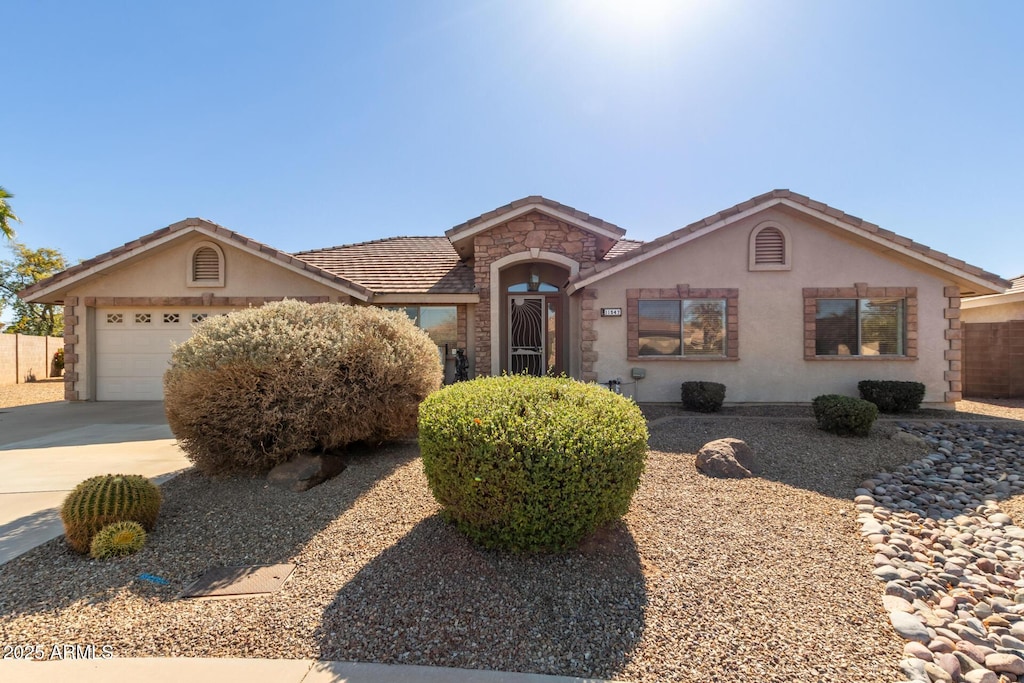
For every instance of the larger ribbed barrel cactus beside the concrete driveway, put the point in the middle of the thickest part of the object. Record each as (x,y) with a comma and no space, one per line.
(107,499)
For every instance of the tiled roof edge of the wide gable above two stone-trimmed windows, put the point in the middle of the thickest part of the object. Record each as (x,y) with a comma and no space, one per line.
(965,273)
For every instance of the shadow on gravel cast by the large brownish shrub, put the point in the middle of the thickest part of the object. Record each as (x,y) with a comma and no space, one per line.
(204,523)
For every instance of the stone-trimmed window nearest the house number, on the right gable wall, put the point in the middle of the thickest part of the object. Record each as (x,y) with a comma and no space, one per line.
(682,327)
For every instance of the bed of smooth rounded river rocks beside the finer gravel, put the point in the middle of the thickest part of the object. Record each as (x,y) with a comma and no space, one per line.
(953,563)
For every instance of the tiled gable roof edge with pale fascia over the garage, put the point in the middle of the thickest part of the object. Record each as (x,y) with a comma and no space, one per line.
(184,226)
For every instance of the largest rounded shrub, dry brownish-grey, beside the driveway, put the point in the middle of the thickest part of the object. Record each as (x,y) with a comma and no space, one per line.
(254,389)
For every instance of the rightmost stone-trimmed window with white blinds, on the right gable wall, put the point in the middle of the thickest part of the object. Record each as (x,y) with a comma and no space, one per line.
(861,327)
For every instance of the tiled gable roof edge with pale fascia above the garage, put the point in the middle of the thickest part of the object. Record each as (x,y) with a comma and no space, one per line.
(109,260)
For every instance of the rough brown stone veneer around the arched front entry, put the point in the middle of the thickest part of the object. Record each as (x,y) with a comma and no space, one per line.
(532,232)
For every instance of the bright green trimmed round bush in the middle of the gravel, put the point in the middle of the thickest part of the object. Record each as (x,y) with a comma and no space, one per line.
(532,464)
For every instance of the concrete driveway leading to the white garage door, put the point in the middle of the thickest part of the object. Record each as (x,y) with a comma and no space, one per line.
(48,449)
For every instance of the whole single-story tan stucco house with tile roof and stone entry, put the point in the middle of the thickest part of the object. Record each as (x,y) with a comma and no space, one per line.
(782,298)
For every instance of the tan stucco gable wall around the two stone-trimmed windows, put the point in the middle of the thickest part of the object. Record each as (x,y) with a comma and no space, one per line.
(772,365)
